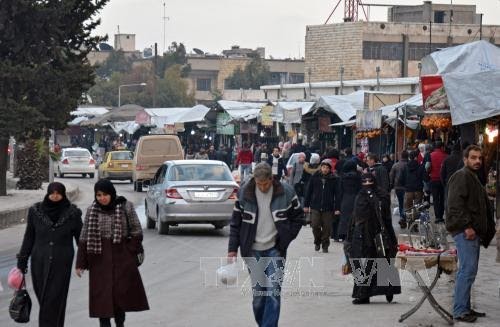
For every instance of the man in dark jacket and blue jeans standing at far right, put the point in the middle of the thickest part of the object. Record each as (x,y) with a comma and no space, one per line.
(470,221)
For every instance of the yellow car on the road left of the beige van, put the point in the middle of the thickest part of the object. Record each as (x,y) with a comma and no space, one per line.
(116,165)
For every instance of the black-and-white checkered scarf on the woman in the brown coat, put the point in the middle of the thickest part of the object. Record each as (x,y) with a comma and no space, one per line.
(94,241)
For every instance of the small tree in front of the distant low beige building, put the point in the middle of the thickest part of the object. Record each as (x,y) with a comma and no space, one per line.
(253,76)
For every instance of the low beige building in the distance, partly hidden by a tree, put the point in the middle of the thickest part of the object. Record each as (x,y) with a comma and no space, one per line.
(209,74)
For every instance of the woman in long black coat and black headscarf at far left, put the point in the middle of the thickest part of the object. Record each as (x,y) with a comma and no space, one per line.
(52,226)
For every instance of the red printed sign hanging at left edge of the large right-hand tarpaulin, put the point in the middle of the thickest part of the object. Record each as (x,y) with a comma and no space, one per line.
(433,93)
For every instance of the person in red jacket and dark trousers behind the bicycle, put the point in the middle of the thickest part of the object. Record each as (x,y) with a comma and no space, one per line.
(437,187)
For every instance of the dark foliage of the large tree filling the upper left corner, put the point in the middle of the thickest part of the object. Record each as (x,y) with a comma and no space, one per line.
(43,65)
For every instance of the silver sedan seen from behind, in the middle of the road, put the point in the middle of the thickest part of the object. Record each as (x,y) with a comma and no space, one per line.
(190,192)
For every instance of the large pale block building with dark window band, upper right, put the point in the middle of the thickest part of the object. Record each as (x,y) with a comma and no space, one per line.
(354,50)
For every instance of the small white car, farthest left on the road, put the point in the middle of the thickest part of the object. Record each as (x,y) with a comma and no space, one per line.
(75,161)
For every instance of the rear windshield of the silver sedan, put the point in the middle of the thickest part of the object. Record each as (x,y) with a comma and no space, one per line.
(200,173)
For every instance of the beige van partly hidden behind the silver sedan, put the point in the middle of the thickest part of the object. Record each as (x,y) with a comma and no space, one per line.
(151,152)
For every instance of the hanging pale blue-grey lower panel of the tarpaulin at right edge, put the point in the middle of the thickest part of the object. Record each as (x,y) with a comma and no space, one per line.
(473,97)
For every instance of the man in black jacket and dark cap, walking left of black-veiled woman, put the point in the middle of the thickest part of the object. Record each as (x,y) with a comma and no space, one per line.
(323,201)
